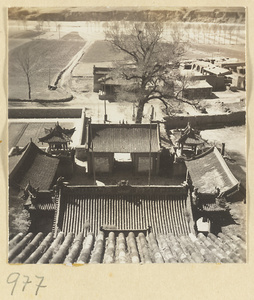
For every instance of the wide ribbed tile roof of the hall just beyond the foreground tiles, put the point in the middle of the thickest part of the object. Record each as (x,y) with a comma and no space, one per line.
(163,212)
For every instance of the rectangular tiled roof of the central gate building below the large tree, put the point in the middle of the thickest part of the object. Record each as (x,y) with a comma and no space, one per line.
(125,138)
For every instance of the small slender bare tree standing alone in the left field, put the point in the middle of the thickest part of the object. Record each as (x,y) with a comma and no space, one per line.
(27,62)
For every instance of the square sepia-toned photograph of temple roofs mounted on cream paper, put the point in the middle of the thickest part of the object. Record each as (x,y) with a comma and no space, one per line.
(127,135)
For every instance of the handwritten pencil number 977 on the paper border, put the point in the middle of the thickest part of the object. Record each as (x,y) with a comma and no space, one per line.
(13,278)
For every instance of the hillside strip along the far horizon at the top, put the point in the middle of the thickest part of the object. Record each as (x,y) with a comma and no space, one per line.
(212,15)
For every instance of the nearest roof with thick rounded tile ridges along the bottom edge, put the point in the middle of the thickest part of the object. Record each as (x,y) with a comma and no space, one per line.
(126,248)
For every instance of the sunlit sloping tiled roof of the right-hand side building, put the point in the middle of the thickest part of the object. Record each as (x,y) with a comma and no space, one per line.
(209,171)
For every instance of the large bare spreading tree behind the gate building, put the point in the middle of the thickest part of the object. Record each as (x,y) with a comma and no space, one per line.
(151,65)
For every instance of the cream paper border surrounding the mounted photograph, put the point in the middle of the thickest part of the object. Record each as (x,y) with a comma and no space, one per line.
(166,281)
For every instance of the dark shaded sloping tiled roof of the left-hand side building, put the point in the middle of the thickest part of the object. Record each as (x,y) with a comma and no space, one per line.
(35,166)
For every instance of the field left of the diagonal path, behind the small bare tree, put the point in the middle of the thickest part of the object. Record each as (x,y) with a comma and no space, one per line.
(49,57)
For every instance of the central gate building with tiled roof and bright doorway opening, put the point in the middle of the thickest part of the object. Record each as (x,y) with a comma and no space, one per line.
(140,141)
